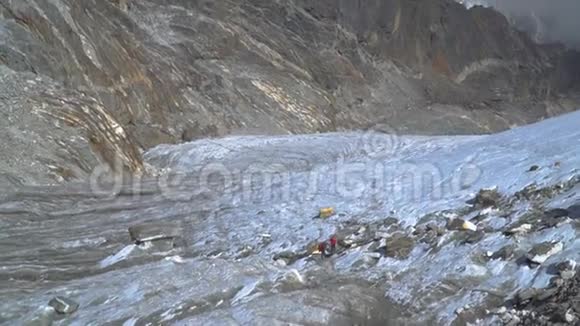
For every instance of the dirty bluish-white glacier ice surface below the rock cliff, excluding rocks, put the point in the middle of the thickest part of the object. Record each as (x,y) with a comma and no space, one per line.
(243,200)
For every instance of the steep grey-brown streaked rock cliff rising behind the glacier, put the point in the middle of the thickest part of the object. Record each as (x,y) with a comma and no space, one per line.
(95,81)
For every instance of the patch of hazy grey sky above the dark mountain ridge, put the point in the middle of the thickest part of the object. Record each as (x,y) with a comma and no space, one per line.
(546,20)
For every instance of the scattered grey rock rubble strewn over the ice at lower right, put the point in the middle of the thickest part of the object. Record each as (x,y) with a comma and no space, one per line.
(531,306)
